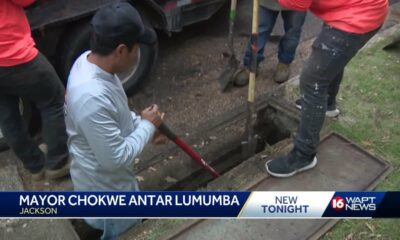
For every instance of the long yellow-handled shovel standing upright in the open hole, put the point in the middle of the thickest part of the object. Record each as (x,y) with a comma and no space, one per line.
(250,144)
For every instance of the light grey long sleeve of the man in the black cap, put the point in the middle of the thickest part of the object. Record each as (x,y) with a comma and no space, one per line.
(101,130)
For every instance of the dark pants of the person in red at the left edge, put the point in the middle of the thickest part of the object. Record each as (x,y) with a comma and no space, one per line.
(37,82)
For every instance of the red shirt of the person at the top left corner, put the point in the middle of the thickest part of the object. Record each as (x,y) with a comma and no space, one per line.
(16,43)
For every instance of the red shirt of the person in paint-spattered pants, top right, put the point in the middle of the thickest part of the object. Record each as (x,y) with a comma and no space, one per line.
(355,16)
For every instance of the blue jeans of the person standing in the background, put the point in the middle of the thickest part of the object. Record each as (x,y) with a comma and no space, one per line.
(293,22)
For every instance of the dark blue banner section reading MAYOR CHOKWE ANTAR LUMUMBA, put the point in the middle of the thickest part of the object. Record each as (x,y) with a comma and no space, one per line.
(121,204)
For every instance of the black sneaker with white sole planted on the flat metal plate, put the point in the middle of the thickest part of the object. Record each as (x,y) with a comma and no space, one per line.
(289,165)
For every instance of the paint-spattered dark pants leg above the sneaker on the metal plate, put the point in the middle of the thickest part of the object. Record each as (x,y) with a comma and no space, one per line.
(320,78)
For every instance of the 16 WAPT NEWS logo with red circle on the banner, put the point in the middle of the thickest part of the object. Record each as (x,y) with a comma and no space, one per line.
(353,204)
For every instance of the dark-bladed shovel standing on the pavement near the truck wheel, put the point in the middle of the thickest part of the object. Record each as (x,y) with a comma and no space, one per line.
(227,76)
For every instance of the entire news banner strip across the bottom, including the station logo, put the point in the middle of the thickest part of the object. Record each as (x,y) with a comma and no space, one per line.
(185,204)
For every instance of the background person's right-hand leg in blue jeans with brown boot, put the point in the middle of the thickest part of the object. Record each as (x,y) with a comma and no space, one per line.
(293,23)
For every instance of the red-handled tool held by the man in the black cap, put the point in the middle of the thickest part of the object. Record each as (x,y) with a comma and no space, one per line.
(164,129)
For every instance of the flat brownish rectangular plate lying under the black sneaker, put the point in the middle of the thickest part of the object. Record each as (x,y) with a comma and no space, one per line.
(343,166)
